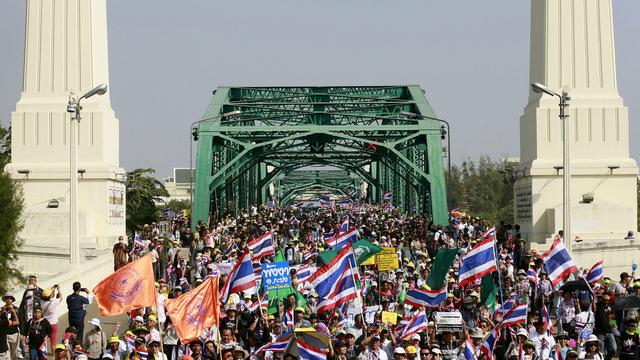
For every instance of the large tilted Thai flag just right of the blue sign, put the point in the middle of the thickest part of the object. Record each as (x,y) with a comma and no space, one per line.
(334,282)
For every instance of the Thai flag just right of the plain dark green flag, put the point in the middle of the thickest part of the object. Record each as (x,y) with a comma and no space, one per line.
(478,262)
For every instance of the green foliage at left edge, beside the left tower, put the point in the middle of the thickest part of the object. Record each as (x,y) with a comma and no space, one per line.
(11,207)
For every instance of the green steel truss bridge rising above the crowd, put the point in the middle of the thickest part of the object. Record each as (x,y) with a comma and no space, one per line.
(288,142)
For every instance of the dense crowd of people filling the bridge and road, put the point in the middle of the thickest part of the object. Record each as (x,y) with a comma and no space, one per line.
(586,321)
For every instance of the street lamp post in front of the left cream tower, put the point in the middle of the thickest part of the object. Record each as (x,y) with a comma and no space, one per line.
(74,108)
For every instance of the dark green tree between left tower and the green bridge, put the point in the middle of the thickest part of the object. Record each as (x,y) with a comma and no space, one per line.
(143,191)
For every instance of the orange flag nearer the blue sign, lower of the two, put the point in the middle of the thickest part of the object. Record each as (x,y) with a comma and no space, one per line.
(193,312)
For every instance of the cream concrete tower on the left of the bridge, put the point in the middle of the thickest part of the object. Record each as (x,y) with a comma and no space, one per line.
(65,52)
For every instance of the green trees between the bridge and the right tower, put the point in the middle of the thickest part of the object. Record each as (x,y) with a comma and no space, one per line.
(482,189)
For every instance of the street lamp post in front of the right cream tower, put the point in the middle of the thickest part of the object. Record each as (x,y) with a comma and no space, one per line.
(566,164)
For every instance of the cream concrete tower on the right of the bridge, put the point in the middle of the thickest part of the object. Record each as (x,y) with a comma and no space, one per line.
(572,46)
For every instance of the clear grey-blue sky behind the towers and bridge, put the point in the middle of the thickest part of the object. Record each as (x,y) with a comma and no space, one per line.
(471,57)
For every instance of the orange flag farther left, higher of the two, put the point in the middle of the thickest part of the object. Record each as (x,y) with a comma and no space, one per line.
(131,287)
